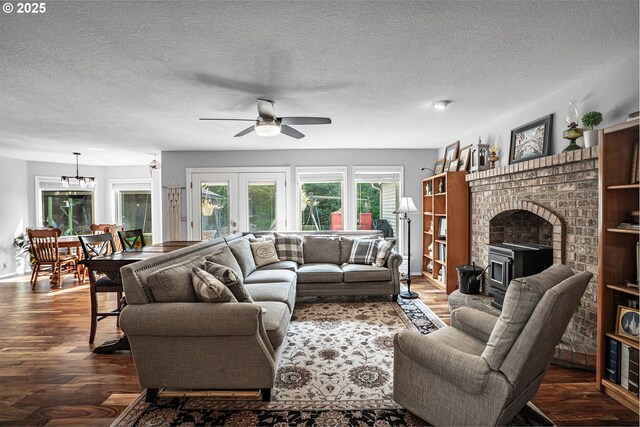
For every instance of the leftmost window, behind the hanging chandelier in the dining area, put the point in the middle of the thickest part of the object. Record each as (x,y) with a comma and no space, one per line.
(69,209)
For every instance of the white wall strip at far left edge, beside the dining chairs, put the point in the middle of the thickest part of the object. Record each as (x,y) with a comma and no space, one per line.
(14,210)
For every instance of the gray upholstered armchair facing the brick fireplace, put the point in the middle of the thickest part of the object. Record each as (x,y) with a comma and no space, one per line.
(483,369)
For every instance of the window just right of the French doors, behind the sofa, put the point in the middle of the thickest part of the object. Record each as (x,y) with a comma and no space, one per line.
(321,198)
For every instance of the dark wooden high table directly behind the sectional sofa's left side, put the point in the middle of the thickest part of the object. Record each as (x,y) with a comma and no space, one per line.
(110,266)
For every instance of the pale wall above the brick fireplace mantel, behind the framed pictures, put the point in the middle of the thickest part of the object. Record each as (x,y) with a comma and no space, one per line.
(612,90)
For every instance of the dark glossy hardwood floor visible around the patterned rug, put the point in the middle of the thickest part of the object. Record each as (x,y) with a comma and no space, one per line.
(49,375)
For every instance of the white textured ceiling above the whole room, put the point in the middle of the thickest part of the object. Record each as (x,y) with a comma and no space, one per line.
(134,77)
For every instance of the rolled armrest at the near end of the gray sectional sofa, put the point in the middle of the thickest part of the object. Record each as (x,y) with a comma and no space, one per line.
(191,319)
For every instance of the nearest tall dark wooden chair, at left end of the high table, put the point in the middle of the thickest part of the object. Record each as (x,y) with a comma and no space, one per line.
(92,246)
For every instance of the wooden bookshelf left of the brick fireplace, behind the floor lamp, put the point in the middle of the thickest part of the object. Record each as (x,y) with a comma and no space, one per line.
(451,248)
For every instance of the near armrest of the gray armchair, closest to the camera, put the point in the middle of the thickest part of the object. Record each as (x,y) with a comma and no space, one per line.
(466,371)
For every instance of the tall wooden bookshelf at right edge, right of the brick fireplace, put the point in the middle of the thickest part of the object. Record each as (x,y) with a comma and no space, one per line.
(617,266)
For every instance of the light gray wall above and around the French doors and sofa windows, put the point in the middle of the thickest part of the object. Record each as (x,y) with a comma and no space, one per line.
(174,165)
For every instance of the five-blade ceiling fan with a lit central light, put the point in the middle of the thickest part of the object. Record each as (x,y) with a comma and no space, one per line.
(267,124)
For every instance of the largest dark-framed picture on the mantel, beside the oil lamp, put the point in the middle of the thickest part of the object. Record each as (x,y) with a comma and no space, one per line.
(531,141)
